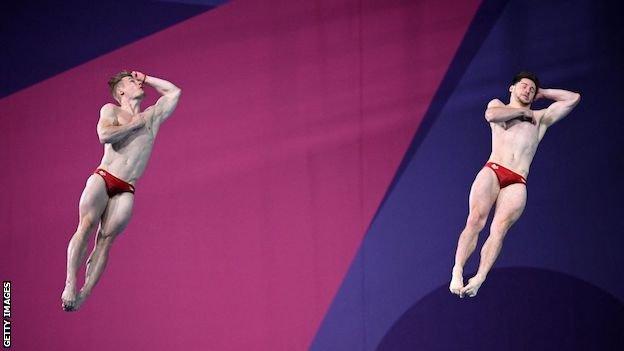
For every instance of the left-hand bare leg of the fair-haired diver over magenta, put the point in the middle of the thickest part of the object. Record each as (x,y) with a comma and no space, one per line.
(92,204)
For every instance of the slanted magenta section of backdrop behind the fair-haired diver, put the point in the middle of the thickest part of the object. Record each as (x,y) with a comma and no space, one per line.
(293,119)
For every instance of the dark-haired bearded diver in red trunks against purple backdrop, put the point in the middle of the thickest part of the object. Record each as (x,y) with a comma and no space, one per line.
(516,132)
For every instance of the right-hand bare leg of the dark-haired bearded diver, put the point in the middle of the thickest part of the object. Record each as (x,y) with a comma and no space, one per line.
(509,207)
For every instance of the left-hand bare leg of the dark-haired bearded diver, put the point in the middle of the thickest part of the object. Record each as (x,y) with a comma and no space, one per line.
(483,193)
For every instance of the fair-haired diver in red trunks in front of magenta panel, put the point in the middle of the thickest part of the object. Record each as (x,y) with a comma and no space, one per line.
(106,202)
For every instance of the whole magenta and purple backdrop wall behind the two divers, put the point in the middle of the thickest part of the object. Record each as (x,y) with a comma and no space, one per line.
(309,190)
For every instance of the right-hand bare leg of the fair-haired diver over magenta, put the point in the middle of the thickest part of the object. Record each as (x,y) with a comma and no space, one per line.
(114,221)
